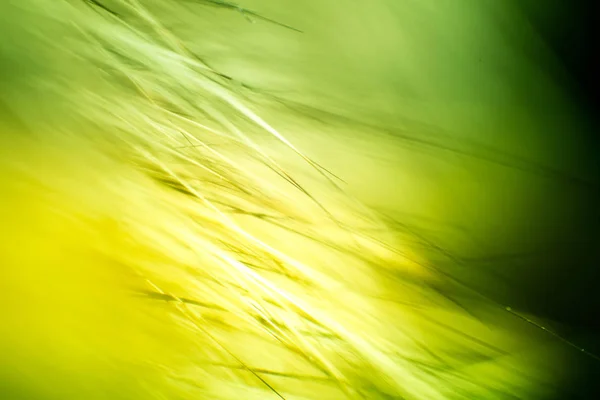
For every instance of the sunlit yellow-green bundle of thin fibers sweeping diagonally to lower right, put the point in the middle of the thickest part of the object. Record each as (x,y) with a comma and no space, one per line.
(167,232)
